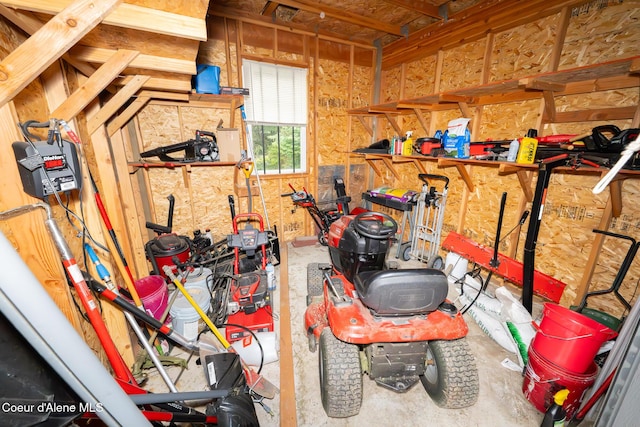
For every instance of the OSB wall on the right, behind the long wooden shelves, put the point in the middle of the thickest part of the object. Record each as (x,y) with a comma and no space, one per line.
(572,210)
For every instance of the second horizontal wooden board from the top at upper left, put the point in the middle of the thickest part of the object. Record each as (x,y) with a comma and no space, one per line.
(149,62)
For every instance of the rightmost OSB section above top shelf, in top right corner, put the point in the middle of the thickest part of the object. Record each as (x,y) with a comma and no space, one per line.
(618,23)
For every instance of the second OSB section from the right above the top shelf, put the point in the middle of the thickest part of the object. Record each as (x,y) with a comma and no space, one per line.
(524,50)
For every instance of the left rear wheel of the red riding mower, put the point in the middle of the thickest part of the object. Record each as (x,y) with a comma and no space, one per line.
(340,376)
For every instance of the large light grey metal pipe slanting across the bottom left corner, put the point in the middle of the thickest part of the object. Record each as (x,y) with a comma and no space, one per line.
(55,339)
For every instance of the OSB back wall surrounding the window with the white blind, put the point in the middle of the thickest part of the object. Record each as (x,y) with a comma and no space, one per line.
(202,192)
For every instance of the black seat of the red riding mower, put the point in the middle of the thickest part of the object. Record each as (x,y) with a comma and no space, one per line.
(405,292)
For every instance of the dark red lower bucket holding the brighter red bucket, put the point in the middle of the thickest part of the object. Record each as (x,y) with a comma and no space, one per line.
(543,379)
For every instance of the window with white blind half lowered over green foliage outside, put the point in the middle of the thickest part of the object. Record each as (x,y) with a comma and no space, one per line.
(276,112)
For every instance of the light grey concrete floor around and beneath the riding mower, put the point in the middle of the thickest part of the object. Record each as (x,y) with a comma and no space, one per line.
(500,402)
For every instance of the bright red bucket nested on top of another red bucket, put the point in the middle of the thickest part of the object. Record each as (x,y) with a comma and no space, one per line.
(569,339)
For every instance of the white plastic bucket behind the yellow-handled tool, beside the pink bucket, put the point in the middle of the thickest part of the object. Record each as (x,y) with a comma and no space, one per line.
(185,319)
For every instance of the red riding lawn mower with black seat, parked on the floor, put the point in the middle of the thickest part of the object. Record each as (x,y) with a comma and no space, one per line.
(396,325)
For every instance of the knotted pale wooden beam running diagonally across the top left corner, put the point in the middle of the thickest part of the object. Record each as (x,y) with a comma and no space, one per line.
(47,44)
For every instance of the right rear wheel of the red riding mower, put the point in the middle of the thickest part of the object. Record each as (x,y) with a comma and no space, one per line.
(451,374)
